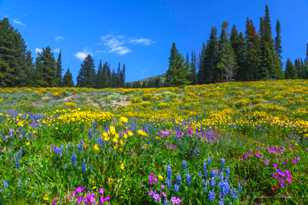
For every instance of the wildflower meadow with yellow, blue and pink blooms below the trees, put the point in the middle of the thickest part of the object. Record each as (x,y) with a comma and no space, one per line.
(236,142)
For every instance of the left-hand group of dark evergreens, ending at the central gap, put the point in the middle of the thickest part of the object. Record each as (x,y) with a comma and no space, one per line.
(17,67)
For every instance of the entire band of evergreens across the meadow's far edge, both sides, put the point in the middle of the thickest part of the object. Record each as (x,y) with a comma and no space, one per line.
(228,56)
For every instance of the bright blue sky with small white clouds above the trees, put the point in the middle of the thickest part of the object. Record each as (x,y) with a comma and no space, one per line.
(139,33)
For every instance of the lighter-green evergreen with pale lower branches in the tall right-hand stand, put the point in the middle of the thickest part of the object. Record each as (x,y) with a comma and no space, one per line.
(226,65)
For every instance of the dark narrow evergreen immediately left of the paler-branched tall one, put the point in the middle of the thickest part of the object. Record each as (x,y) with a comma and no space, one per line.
(209,58)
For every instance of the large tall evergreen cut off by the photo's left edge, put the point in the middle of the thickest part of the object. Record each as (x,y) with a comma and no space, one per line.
(15,62)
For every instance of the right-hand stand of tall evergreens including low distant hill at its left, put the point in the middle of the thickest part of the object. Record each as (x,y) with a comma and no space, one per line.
(235,56)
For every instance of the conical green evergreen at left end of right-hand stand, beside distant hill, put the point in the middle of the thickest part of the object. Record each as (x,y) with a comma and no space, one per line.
(177,73)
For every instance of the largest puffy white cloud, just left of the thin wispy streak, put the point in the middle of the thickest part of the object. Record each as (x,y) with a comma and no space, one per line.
(115,44)
